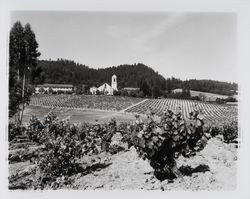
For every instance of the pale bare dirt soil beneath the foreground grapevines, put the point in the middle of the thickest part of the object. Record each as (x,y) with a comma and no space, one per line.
(214,168)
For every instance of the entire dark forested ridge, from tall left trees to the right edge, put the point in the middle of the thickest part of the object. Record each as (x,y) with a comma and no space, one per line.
(68,72)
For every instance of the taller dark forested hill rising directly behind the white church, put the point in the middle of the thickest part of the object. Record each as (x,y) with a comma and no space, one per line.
(64,71)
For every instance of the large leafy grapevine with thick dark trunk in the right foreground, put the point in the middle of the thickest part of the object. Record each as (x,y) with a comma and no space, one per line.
(162,142)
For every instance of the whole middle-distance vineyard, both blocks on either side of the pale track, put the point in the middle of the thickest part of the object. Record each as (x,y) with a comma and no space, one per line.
(213,112)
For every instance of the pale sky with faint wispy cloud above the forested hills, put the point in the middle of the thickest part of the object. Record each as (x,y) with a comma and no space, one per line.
(182,45)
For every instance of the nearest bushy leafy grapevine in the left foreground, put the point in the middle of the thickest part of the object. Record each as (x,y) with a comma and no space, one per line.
(62,153)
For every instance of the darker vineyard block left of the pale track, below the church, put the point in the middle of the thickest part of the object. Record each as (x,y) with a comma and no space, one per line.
(84,101)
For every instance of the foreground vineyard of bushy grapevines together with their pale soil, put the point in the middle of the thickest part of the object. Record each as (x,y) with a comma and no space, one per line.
(168,155)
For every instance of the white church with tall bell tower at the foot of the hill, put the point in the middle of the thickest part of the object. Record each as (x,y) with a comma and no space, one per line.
(106,89)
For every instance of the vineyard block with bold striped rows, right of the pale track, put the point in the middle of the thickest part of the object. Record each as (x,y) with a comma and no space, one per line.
(213,112)
